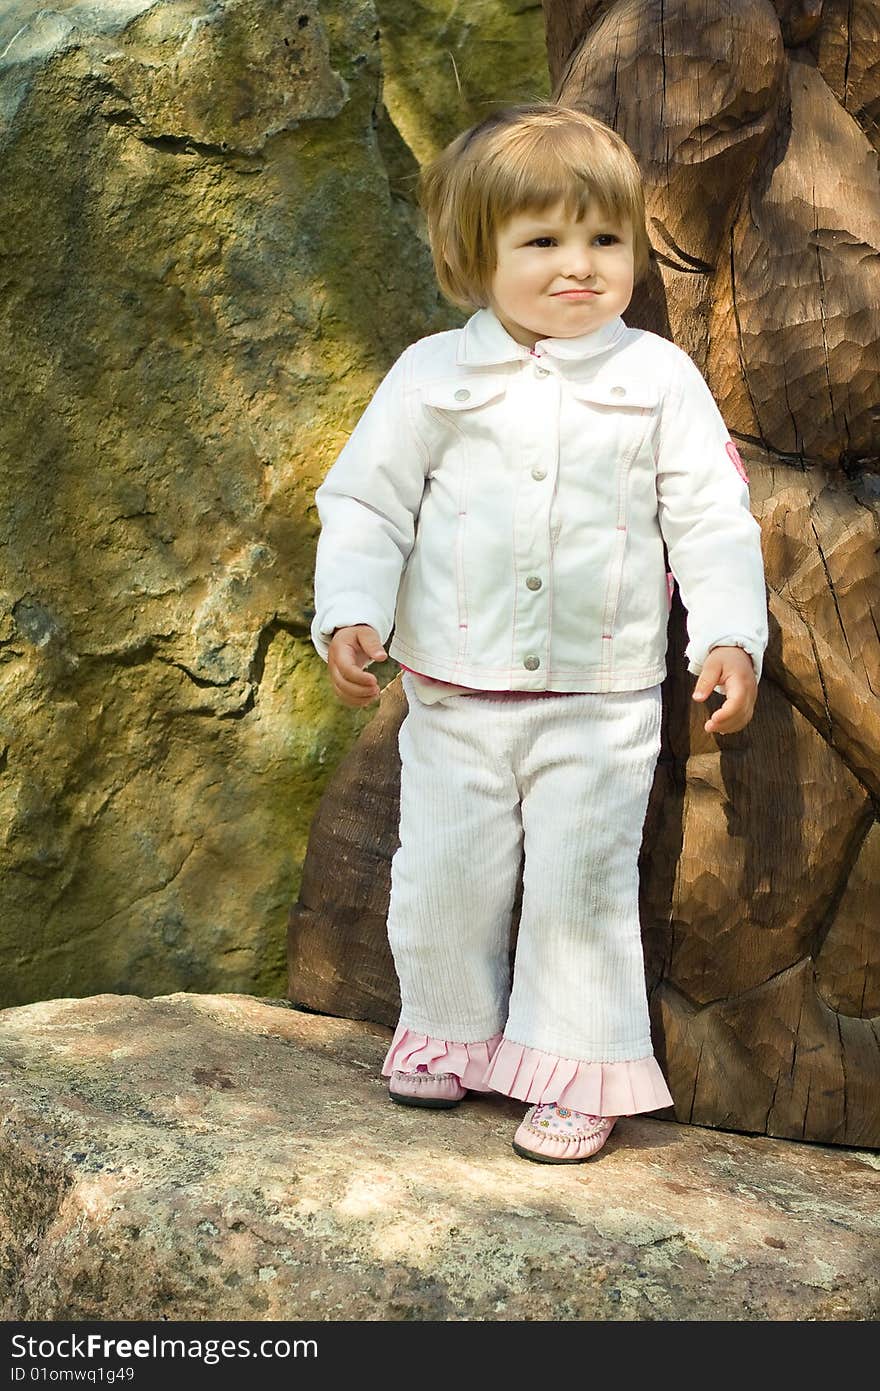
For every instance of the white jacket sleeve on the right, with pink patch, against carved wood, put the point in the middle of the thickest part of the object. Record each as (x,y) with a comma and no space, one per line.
(712,539)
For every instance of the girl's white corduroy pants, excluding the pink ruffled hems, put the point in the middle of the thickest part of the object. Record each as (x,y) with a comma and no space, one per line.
(565,780)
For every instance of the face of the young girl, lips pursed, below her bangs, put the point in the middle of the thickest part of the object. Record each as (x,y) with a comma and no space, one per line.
(560,279)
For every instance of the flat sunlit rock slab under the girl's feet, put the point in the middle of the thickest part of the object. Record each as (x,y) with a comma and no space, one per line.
(227,1158)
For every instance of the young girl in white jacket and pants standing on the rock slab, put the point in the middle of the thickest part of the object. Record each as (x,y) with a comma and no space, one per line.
(504,504)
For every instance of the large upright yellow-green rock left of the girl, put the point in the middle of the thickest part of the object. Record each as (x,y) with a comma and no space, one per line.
(206,273)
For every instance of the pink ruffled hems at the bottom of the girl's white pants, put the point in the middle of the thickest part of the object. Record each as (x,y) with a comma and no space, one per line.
(528,1075)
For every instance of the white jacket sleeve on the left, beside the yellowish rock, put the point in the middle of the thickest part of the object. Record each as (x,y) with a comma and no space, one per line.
(368,506)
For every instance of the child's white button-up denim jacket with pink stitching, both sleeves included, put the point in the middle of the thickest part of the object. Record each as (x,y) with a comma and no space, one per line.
(505,510)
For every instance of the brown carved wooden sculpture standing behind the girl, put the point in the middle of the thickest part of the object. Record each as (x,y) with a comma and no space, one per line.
(757,131)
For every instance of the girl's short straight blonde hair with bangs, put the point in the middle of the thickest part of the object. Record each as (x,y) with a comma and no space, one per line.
(523,159)
